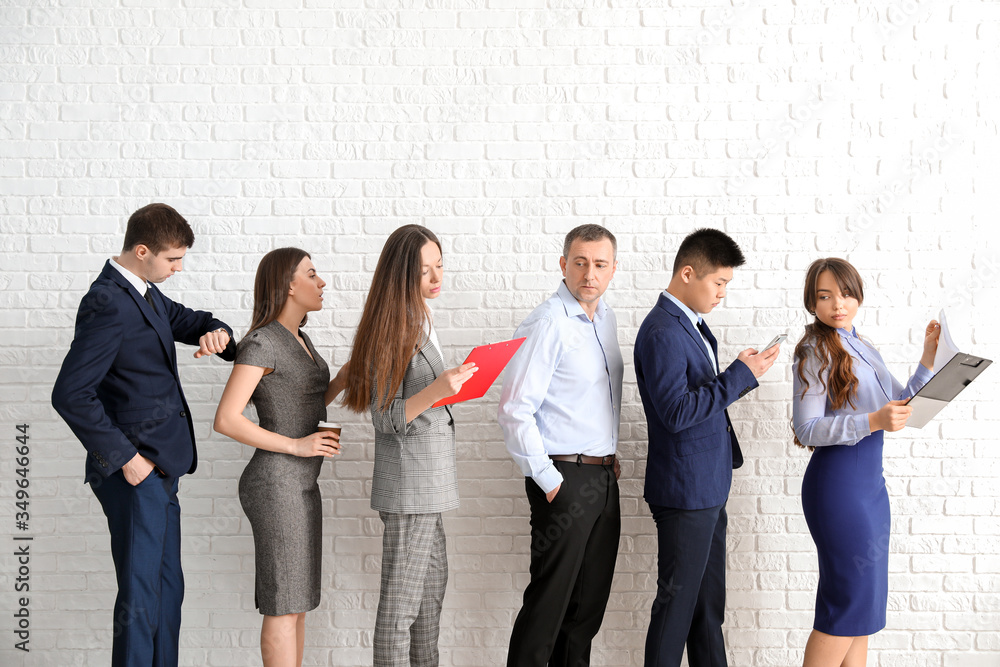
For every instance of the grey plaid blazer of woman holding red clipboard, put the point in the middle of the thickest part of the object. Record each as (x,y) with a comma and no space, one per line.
(415,463)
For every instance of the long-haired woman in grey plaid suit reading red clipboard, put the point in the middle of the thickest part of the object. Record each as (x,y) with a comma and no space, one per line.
(397,373)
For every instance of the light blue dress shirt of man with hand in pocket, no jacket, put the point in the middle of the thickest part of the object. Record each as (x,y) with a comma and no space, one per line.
(562,391)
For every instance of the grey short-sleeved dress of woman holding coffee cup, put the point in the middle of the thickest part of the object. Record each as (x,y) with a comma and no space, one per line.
(279,492)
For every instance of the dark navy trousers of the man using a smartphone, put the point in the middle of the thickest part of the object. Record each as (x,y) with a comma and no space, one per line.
(690,602)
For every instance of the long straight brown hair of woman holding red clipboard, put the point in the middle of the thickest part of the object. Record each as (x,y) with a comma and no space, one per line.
(392,323)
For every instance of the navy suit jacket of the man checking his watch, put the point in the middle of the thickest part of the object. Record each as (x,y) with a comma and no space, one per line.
(119,389)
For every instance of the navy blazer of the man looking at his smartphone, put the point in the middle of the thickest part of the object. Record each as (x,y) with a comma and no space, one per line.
(692,446)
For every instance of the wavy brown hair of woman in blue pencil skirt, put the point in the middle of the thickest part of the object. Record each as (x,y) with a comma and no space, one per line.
(842,384)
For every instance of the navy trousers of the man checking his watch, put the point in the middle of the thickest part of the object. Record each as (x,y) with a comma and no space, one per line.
(145,525)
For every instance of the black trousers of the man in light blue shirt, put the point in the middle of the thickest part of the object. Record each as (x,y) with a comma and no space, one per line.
(574,547)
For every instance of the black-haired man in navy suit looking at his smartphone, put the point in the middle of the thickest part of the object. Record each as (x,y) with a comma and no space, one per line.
(692,449)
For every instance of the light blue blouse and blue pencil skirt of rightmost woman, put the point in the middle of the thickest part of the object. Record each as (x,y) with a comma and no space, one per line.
(844,498)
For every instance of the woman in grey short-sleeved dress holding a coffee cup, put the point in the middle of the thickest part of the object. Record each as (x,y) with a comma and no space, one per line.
(278,368)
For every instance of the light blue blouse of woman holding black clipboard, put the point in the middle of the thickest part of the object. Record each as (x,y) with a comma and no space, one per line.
(816,424)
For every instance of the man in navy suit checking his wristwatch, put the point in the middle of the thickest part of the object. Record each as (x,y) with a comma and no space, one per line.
(120,393)
